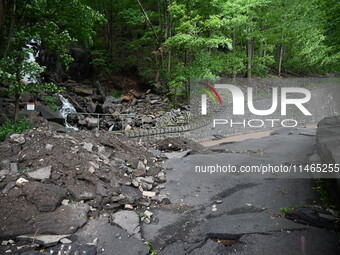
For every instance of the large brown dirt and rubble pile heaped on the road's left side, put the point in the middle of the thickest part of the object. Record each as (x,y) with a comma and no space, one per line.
(42,171)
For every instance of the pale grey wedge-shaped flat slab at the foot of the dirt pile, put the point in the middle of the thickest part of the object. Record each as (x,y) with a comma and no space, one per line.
(129,221)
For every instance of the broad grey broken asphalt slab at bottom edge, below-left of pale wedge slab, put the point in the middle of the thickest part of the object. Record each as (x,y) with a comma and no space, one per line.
(110,239)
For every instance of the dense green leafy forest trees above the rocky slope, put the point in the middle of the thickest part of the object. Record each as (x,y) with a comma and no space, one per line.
(165,42)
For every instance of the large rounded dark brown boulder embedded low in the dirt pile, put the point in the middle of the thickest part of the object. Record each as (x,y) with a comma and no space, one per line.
(47,197)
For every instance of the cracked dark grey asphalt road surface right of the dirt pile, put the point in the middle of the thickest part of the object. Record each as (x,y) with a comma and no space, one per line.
(223,213)
